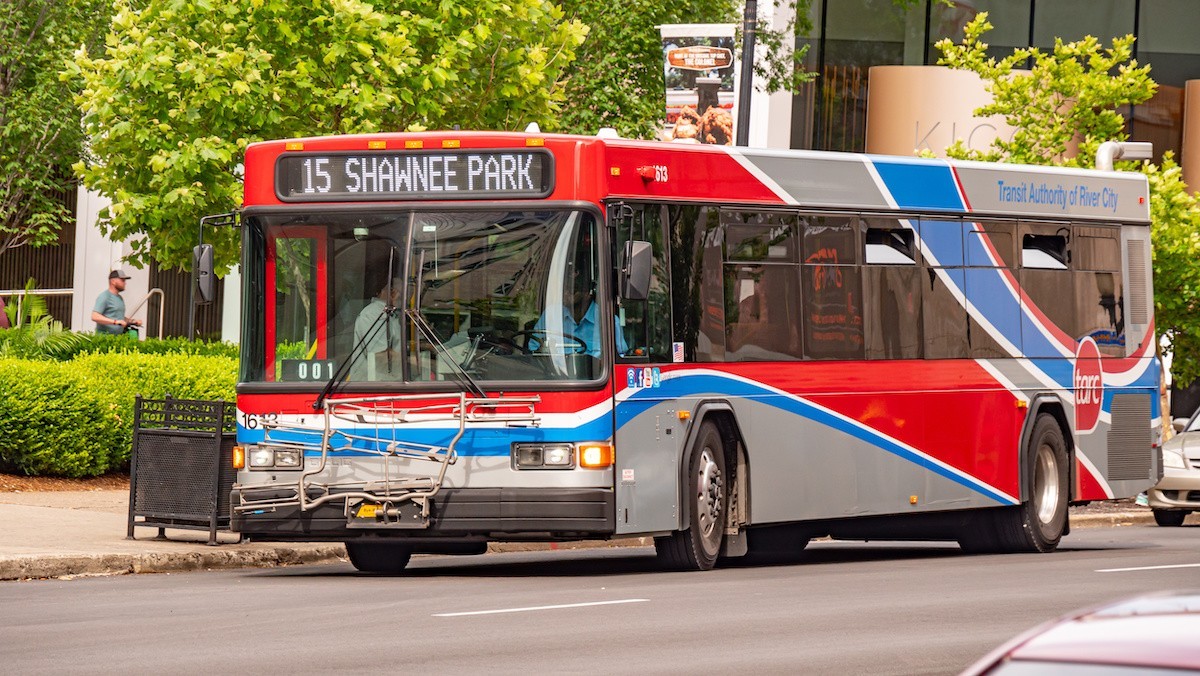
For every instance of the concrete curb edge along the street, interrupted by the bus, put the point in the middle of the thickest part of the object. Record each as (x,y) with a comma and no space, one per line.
(212,559)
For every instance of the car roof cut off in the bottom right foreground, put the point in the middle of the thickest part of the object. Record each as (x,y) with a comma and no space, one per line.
(1149,636)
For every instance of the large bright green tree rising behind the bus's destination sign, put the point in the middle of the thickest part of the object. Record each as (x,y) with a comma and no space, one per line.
(182,87)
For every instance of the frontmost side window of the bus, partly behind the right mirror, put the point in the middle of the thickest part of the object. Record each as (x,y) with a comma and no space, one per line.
(646,324)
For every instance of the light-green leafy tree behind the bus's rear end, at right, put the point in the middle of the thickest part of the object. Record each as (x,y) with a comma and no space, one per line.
(1064,104)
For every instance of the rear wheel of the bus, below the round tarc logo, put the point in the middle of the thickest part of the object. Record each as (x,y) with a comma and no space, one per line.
(1040,523)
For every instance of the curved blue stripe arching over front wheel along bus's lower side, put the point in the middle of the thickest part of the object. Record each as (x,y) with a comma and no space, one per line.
(692,386)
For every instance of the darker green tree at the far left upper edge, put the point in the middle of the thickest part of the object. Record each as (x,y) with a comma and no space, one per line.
(40,136)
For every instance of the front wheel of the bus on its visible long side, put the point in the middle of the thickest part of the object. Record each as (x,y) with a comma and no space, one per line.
(698,547)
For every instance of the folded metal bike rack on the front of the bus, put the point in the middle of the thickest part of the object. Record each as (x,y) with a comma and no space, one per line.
(401,502)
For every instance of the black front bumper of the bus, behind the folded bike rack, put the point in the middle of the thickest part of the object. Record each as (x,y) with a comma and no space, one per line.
(464,515)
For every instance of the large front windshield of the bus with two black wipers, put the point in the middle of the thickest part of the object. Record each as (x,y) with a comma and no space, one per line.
(502,296)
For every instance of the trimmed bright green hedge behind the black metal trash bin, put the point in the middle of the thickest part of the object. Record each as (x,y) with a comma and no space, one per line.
(76,418)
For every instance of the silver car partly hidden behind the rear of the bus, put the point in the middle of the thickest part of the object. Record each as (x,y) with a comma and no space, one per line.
(1179,493)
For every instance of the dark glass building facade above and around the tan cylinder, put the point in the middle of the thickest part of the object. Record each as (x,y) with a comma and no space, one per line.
(851,37)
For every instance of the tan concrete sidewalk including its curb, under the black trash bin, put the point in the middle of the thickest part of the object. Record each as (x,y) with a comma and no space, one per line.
(69,534)
